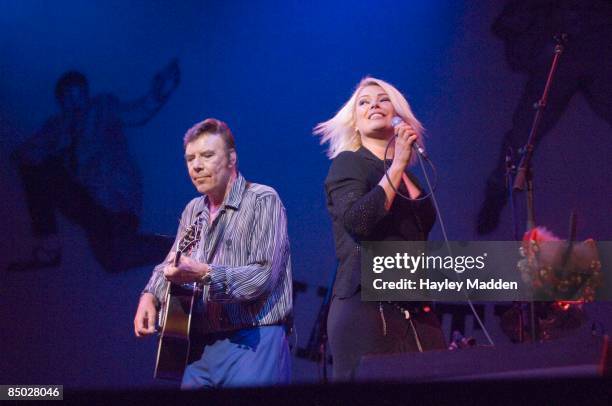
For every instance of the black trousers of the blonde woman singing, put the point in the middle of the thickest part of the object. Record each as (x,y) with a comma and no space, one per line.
(356,328)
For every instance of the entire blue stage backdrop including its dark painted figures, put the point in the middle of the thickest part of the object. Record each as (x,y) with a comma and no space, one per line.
(271,70)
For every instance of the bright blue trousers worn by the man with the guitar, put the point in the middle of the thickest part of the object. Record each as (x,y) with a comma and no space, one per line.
(257,356)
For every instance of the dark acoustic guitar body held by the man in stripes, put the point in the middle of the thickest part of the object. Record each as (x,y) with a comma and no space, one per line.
(174,341)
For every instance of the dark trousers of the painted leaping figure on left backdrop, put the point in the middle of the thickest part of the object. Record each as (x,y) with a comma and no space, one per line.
(113,236)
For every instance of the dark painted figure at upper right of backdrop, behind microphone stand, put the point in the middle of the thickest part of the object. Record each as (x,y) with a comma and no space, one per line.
(528,28)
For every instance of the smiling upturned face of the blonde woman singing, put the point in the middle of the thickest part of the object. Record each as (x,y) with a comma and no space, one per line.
(374,112)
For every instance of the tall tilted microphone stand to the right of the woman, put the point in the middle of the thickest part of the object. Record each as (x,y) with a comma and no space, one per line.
(524,174)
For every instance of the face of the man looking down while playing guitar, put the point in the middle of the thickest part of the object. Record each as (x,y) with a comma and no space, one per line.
(210,164)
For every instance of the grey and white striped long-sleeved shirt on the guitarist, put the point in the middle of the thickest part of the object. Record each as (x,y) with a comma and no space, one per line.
(250,281)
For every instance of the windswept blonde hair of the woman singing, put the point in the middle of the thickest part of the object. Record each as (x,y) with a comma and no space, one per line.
(340,130)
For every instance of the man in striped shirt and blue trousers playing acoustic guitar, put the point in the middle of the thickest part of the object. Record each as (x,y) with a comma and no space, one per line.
(235,265)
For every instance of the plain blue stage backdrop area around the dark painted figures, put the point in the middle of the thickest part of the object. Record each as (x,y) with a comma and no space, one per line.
(272,70)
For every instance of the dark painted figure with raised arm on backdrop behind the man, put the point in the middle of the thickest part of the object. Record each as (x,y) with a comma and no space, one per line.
(79,164)
